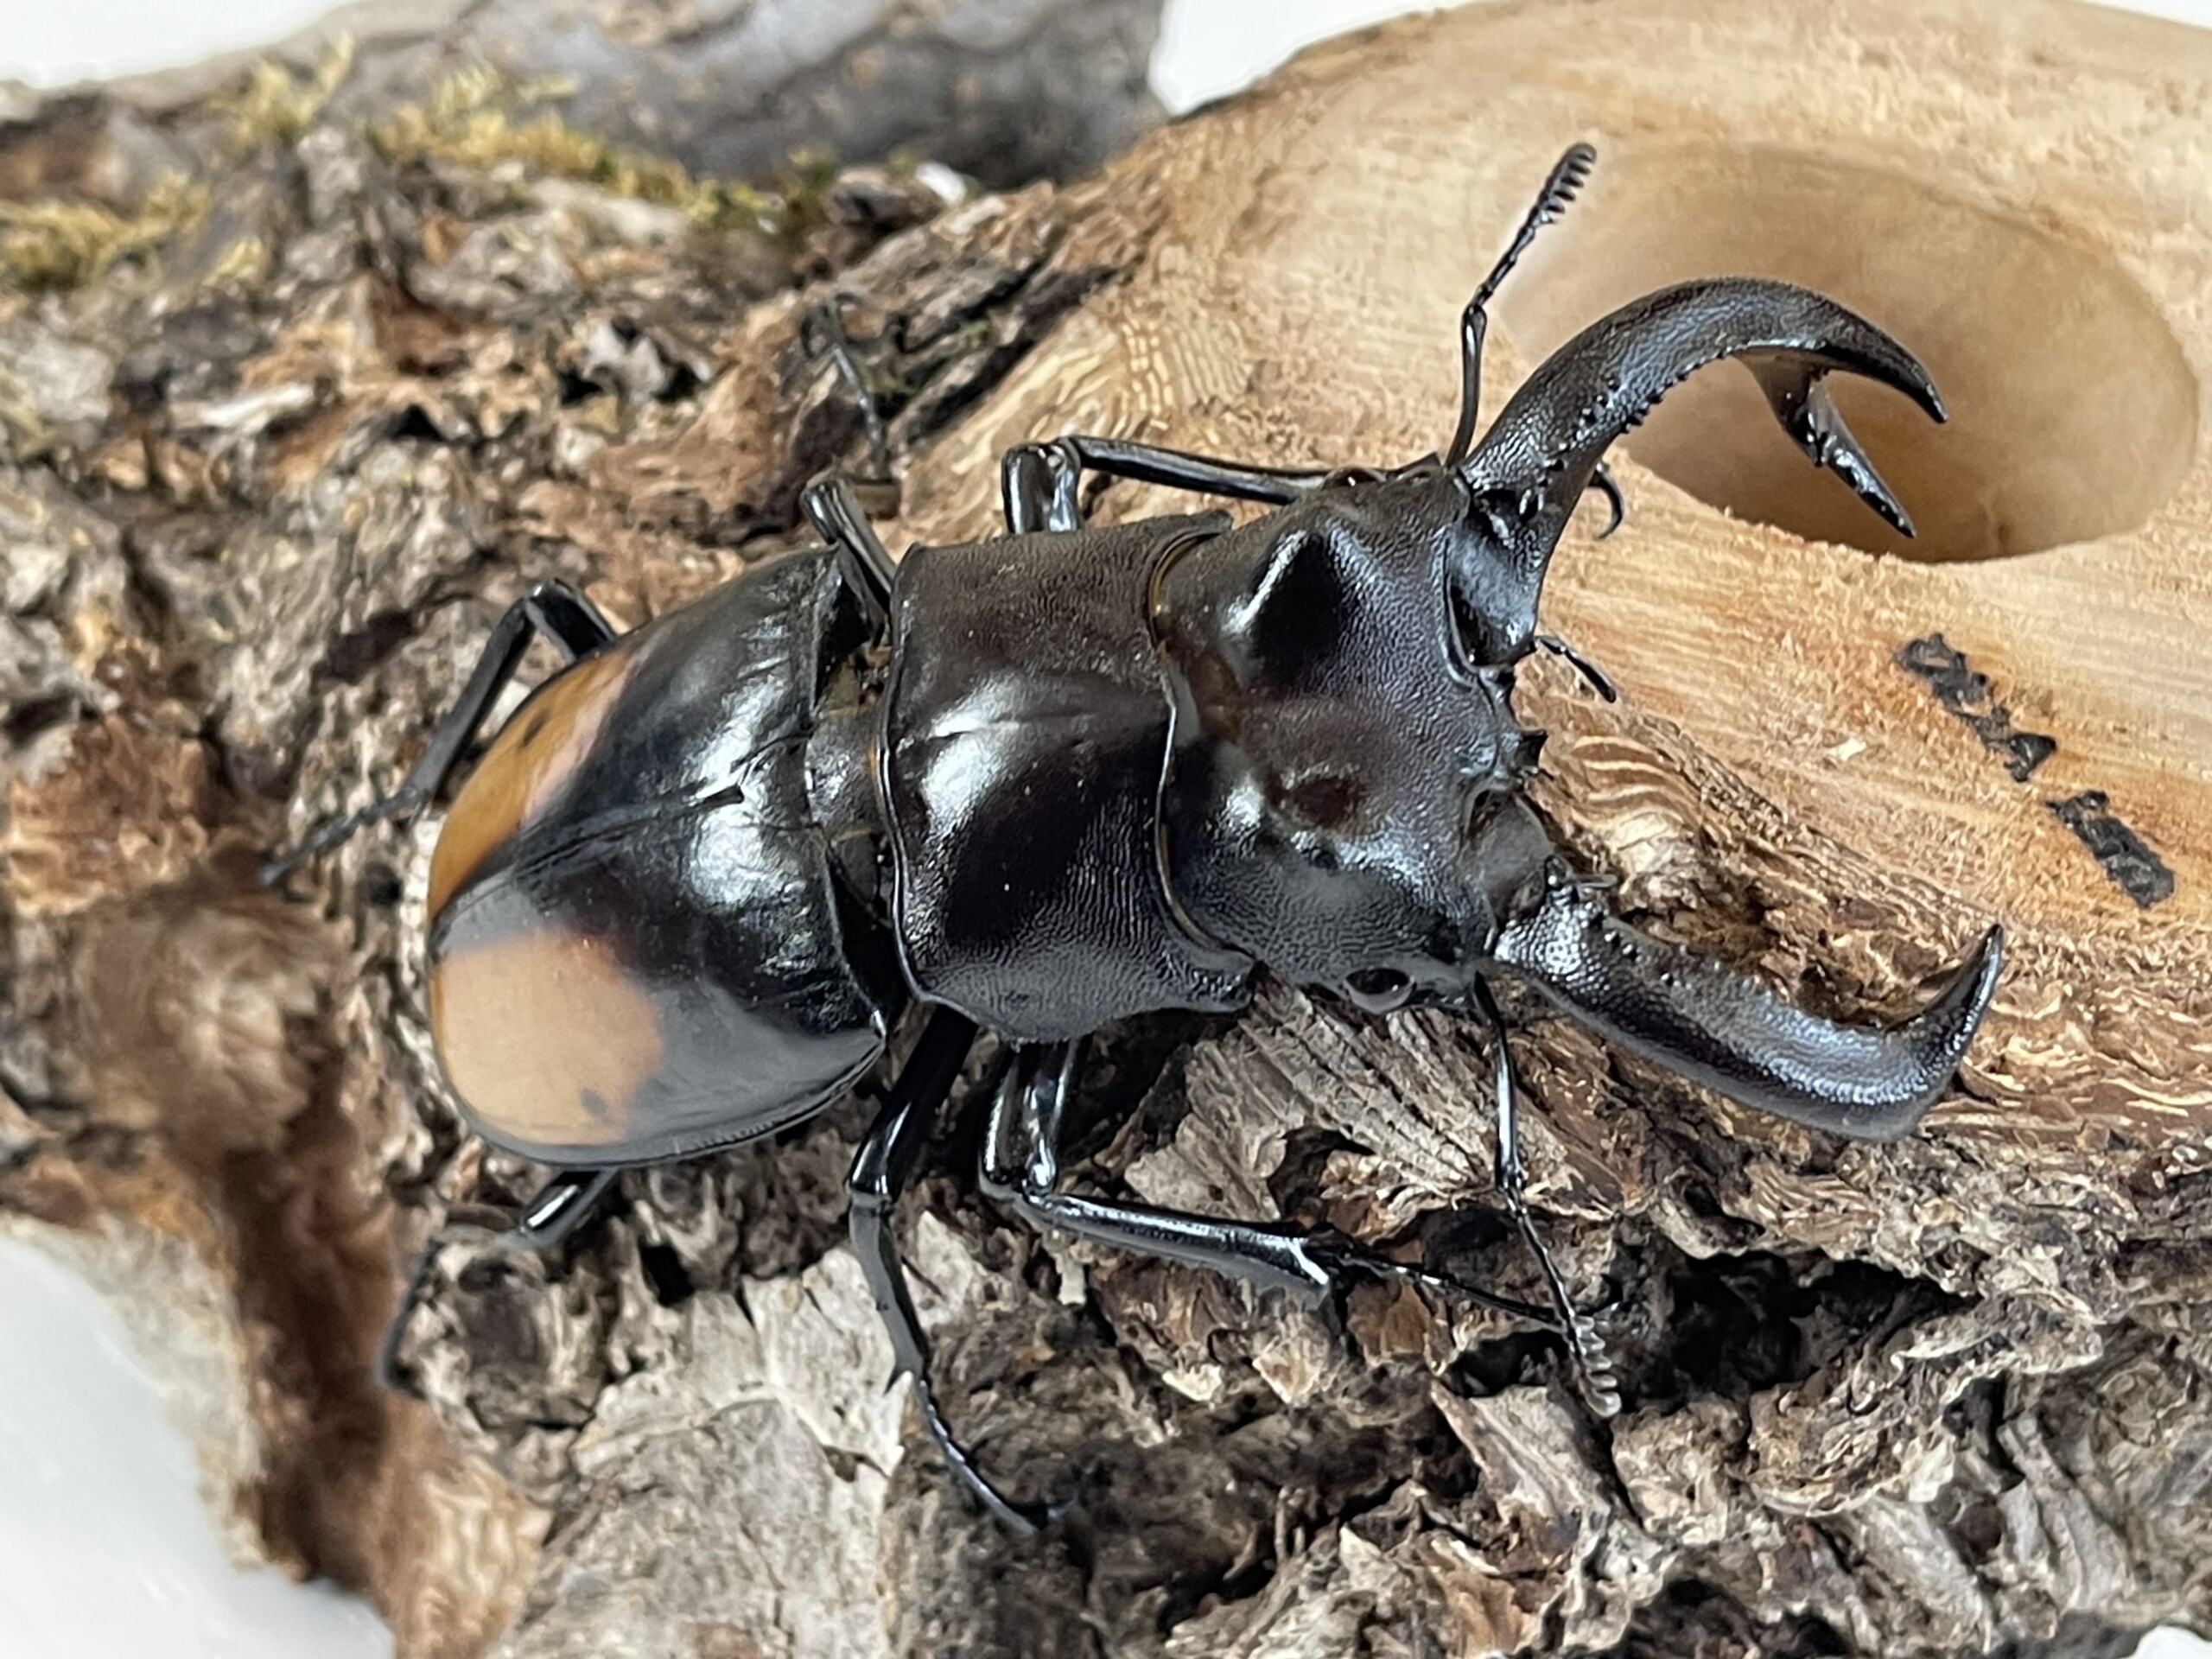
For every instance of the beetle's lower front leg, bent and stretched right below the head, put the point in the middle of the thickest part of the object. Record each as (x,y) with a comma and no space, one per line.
(1021,1167)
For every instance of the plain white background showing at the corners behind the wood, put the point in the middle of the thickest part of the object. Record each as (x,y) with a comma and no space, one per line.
(105,1552)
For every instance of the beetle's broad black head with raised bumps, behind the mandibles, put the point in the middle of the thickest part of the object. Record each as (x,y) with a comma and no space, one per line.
(1342,797)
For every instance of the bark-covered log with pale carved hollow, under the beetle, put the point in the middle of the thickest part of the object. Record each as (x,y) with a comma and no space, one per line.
(1945,1397)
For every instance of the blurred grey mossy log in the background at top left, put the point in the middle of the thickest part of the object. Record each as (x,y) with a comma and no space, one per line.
(1001,90)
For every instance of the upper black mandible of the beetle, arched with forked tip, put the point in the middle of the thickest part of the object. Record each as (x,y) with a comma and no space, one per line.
(1552,437)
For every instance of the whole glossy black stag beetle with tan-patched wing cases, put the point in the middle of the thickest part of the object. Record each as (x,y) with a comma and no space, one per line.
(1072,775)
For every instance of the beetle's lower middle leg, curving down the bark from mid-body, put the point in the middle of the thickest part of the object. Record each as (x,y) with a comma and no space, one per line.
(879,1173)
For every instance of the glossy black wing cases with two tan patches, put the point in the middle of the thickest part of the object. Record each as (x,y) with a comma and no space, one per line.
(638,943)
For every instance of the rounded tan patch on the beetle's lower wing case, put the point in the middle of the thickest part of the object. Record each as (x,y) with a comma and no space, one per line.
(547,1039)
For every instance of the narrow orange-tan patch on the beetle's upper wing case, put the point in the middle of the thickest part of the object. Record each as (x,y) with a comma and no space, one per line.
(528,764)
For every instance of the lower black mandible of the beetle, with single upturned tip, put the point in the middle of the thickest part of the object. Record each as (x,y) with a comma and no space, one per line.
(1722,1030)
